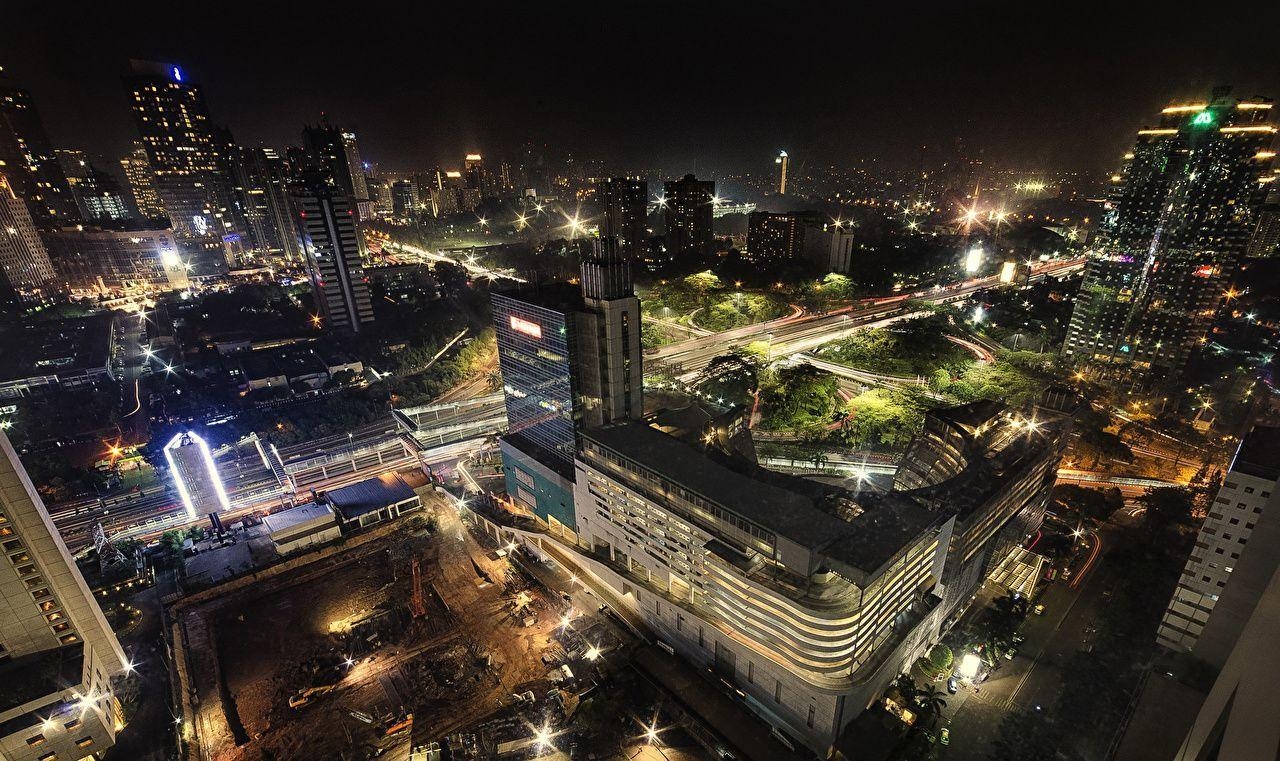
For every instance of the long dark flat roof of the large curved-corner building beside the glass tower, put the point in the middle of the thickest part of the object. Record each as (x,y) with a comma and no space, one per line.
(867,533)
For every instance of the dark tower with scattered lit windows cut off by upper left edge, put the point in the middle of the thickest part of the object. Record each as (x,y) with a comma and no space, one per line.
(29,161)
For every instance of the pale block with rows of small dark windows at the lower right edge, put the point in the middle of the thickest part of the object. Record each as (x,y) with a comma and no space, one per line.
(1195,621)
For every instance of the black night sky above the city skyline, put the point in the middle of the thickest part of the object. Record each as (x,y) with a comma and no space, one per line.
(656,86)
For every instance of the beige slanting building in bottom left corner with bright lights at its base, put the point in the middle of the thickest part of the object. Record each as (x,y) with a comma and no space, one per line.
(58,655)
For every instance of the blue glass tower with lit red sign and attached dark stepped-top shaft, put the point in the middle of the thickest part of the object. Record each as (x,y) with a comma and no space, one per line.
(570,357)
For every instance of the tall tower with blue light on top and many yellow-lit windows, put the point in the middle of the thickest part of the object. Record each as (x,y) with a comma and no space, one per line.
(189,176)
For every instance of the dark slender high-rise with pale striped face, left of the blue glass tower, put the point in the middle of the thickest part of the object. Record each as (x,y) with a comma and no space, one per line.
(335,253)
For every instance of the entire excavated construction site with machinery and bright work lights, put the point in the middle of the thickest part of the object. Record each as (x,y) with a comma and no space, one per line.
(408,641)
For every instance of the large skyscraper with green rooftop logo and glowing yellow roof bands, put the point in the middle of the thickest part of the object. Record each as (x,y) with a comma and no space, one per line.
(1177,222)
